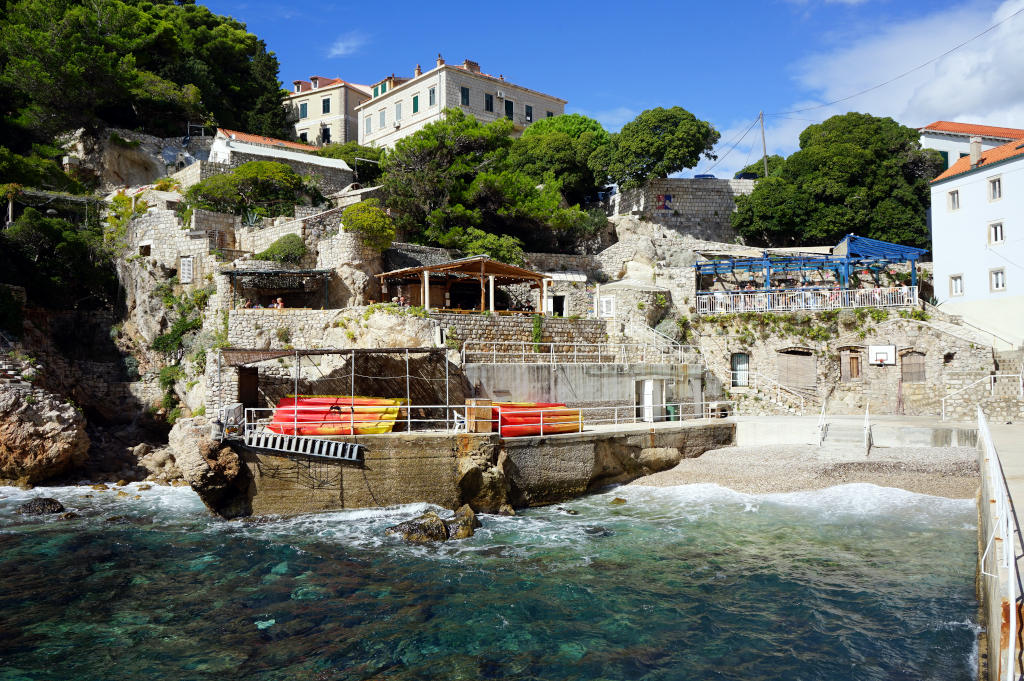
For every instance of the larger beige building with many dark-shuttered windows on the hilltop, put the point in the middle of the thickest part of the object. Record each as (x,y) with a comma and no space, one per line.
(399,107)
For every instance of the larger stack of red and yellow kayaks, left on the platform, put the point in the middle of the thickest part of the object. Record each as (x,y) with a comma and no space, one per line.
(335,415)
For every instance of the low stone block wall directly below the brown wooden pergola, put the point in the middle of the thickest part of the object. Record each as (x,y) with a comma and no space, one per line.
(520,328)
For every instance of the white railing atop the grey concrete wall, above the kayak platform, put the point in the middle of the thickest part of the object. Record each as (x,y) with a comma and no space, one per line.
(577,354)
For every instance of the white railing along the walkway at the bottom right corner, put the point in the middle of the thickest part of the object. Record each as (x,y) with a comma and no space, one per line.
(1004,533)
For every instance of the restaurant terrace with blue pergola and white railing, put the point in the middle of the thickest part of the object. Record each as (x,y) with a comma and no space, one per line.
(859,273)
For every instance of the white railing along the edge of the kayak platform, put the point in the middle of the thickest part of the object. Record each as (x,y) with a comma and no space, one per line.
(453,418)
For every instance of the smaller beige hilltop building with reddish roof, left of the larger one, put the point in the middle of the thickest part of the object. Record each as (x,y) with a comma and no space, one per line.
(326,110)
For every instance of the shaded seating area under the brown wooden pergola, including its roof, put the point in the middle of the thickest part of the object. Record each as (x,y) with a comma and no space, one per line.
(466,286)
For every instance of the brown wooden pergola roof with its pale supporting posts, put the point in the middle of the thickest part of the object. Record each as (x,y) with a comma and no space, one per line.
(481,268)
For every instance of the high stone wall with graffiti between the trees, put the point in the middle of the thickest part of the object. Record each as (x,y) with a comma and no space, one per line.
(701,208)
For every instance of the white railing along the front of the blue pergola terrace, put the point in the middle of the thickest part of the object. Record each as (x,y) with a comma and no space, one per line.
(723,303)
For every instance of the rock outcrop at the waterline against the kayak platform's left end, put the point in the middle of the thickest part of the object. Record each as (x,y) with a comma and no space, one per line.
(212,470)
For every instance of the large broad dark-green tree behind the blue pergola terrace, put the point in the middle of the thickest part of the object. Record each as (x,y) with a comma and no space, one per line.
(854,174)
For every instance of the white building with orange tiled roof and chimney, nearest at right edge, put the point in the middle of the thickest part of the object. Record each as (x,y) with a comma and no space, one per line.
(978,239)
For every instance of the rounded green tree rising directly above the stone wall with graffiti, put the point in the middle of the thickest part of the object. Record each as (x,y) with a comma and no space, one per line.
(659,143)
